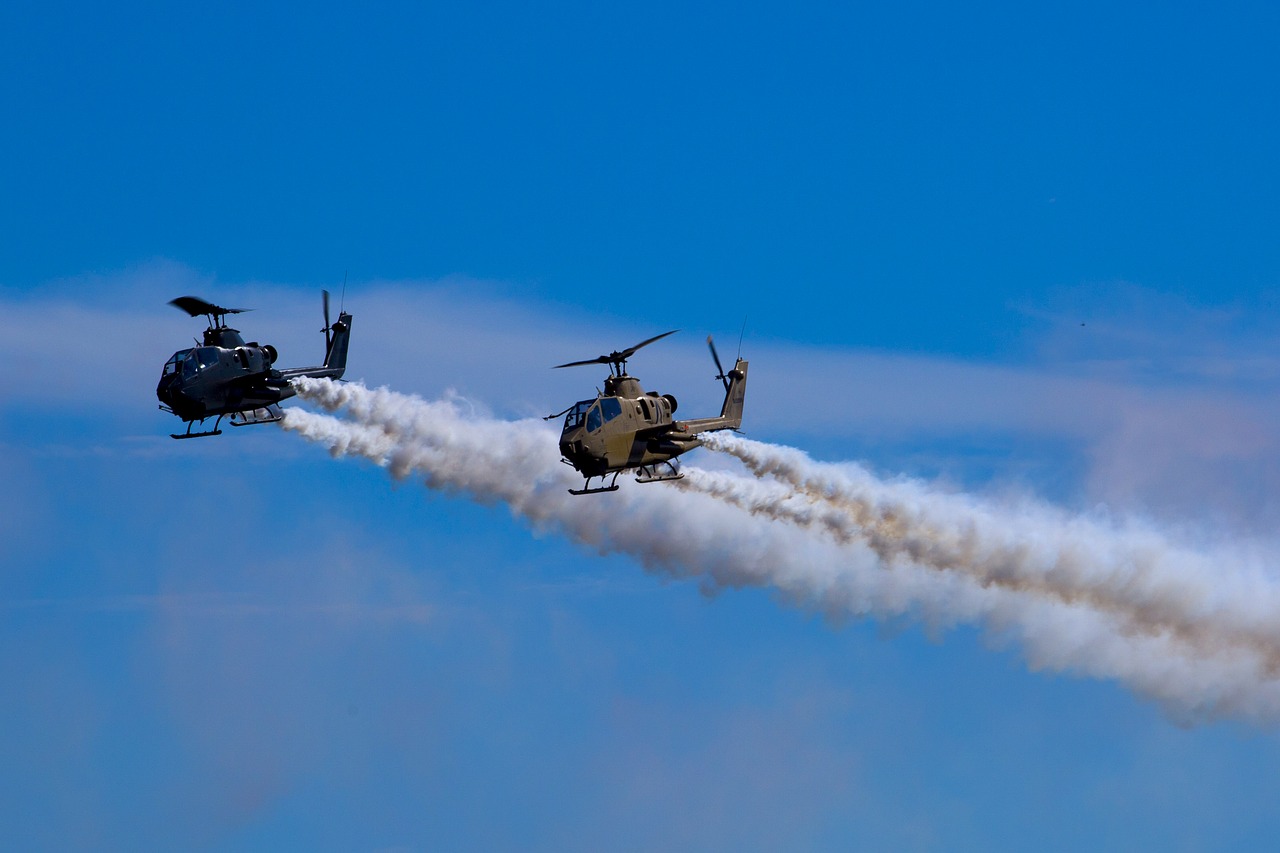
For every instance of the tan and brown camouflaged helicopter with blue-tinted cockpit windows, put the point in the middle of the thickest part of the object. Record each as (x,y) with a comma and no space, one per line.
(629,428)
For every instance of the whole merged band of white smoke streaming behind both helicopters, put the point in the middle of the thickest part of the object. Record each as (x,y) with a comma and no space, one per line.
(1210,655)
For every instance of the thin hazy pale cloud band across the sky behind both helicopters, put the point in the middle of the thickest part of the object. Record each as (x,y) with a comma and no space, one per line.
(1149,423)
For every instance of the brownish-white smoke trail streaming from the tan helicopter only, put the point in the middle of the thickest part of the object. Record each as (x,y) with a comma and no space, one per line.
(1132,574)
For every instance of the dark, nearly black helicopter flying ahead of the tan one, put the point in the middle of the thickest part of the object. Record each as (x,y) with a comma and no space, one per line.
(228,377)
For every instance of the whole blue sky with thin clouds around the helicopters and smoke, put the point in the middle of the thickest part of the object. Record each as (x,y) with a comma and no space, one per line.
(244,644)
